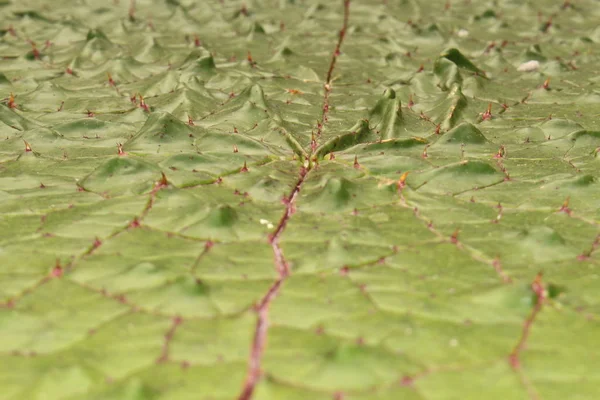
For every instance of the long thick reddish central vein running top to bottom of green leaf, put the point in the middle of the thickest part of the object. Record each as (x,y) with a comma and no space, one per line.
(283,269)
